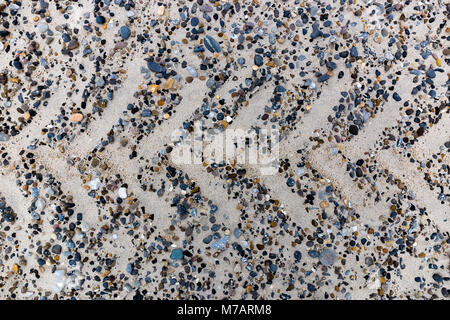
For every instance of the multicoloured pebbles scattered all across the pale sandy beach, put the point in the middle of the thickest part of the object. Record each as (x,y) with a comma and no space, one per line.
(105,218)
